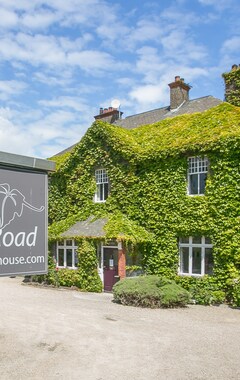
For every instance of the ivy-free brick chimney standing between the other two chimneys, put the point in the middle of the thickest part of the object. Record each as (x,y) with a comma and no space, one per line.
(179,92)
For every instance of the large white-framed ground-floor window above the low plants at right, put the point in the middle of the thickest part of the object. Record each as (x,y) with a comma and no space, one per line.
(196,258)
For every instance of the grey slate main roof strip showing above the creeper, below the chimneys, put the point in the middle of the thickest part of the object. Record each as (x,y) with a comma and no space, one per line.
(150,117)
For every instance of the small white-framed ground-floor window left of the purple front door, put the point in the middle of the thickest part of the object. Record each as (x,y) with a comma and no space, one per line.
(66,254)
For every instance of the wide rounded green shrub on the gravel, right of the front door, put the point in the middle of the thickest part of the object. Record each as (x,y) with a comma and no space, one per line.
(150,291)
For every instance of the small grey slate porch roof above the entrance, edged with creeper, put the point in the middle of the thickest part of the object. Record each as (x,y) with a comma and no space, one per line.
(87,228)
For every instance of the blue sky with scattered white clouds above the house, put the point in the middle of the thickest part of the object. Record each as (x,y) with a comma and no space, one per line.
(60,60)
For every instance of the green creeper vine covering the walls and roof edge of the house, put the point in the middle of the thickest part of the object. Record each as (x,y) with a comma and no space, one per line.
(148,201)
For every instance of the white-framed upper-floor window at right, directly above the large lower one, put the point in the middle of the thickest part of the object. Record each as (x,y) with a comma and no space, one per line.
(197,175)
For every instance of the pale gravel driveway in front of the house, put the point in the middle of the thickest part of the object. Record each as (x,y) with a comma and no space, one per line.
(62,334)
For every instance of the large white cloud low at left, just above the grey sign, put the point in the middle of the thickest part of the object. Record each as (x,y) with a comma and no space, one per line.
(59,128)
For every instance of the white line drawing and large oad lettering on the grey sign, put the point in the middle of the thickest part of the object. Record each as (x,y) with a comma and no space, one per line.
(12,203)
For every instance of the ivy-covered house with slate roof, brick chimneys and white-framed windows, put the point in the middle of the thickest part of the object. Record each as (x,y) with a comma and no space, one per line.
(157,192)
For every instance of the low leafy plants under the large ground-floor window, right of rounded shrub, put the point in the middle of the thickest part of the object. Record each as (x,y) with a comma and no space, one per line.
(204,290)
